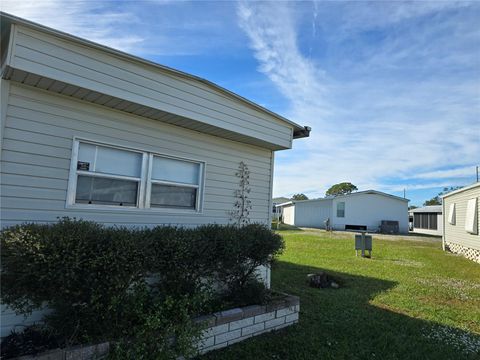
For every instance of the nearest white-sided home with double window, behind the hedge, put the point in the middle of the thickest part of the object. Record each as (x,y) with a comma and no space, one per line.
(97,134)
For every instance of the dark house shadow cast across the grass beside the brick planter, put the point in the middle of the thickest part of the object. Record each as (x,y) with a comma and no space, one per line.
(342,324)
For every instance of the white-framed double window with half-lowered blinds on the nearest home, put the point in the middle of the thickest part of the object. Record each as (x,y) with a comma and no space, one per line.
(104,175)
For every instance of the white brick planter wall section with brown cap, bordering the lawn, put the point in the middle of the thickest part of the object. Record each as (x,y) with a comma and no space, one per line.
(231,326)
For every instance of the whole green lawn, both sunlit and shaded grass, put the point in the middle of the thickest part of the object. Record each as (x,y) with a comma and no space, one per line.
(410,301)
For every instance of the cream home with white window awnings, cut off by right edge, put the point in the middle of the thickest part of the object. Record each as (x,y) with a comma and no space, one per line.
(461,221)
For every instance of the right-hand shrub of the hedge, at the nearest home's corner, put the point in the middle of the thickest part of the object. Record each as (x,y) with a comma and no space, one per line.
(190,260)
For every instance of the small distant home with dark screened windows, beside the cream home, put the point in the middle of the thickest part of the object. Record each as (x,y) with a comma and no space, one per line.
(427,220)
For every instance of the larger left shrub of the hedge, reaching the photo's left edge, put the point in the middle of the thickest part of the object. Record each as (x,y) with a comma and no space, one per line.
(79,269)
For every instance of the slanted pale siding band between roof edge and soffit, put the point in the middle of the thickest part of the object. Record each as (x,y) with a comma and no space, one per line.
(200,105)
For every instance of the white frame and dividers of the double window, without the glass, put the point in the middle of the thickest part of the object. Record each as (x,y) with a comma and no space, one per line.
(145,181)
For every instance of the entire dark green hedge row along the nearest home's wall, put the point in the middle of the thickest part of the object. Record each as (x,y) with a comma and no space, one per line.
(107,283)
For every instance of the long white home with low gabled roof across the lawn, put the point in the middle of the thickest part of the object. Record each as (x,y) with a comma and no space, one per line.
(363,210)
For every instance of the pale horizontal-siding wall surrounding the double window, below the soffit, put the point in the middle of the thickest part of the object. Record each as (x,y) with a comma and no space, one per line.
(35,162)
